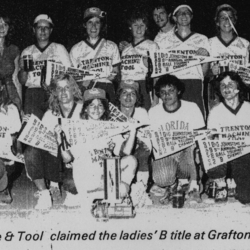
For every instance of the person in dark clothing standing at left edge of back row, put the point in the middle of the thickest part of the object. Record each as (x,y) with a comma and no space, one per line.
(9,56)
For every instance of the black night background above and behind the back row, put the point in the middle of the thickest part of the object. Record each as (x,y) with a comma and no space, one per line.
(67,16)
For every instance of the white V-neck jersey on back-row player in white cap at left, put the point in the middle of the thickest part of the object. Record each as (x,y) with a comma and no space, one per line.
(53,52)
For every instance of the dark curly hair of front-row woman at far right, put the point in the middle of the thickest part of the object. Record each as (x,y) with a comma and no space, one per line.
(235,77)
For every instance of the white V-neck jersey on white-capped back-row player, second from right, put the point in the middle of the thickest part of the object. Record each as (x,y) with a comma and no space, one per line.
(193,41)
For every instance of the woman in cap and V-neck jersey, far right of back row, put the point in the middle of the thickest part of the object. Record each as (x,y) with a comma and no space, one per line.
(227,44)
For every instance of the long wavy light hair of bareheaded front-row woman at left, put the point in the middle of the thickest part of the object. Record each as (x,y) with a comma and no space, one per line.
(54,104)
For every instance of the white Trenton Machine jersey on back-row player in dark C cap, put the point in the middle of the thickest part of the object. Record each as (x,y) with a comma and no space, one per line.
(83,53)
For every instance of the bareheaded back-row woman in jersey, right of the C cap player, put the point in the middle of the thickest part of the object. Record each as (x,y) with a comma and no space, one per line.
(134,64)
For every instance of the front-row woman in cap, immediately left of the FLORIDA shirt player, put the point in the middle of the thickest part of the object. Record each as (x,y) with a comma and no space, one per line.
(129,103)
